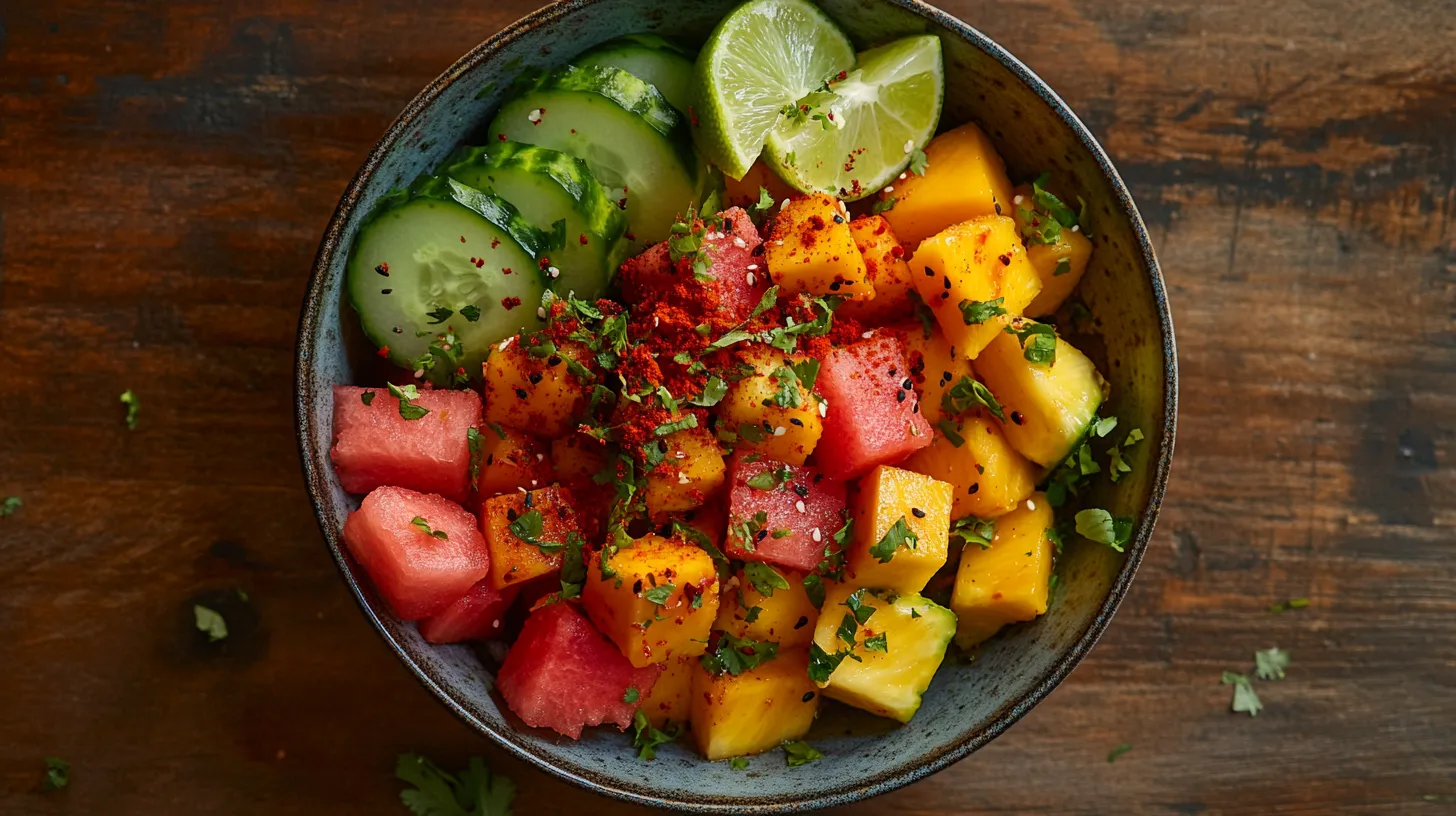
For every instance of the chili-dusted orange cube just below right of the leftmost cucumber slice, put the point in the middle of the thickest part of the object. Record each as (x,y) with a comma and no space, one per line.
(532,390)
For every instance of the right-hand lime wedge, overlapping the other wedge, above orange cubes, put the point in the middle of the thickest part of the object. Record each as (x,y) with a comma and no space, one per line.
(861,135)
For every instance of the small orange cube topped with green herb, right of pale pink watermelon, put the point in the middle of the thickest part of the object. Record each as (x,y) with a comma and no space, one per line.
(526,534)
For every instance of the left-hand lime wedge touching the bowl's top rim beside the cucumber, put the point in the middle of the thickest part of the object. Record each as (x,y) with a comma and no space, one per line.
(762,59)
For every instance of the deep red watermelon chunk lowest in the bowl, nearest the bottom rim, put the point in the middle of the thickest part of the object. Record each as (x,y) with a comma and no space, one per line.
(563,674)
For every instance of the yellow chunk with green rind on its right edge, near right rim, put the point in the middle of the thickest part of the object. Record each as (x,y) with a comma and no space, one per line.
(1049,406)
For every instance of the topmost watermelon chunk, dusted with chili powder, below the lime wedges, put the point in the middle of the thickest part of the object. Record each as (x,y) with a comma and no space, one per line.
(730,288)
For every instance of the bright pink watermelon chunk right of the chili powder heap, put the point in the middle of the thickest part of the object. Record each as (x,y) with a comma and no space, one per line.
(874,413)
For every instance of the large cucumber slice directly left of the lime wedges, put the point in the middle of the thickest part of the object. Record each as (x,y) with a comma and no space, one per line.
(636,144)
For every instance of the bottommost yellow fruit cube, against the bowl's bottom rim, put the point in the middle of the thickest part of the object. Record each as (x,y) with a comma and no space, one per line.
(753,712)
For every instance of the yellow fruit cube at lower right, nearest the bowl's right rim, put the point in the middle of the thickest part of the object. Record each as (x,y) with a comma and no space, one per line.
(1007,582)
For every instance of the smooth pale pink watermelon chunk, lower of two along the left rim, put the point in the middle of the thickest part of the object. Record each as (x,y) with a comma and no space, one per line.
(420,575)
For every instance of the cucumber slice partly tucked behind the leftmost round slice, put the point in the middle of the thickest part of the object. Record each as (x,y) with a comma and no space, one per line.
(550,187)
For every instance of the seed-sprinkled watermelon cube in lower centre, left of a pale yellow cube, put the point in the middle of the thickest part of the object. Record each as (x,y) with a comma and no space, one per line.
(806,503)
